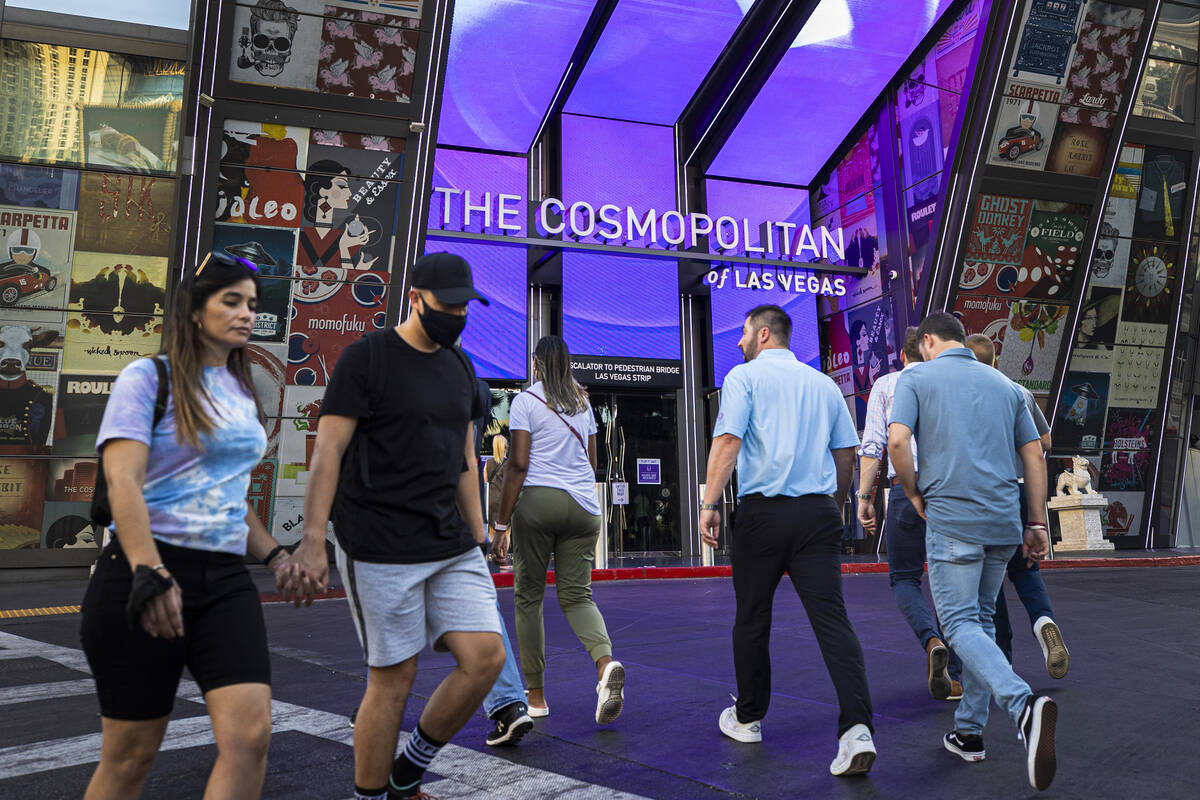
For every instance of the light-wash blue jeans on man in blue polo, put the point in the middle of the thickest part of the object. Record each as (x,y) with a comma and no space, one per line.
(965,580)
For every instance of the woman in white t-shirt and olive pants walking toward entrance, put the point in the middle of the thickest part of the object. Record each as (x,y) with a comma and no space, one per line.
(551,483)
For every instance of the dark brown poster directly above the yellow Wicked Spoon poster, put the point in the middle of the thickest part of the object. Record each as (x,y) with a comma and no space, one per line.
(125,214)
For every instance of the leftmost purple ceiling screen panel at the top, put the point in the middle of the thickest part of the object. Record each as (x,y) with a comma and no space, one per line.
(507,61)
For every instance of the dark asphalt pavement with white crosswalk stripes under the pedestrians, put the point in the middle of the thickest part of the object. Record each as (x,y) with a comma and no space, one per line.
(1129,707)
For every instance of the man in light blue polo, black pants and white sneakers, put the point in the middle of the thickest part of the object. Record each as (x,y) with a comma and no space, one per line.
(790,432)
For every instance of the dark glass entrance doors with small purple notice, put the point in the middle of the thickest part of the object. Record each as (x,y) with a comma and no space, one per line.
(638,447)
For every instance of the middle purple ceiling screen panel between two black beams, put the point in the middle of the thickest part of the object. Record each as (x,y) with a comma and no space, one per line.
(652,57)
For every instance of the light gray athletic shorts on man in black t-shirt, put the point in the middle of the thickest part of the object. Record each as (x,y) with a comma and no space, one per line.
(399,607)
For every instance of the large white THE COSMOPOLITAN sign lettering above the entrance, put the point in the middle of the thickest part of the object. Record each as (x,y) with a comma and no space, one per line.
(616,225)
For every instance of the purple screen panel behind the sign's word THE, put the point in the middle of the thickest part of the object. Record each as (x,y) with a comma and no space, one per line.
(487,177)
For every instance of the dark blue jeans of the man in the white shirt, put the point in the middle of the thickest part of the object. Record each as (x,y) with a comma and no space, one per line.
(905,534)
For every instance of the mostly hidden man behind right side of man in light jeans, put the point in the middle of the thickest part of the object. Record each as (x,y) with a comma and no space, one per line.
(1024,573)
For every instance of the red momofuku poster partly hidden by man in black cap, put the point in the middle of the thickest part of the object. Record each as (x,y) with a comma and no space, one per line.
(328,317)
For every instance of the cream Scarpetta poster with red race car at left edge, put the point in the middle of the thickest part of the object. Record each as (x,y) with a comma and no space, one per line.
(35,266)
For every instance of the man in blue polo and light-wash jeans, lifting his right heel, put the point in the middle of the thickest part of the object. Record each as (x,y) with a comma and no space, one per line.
(969,419)
